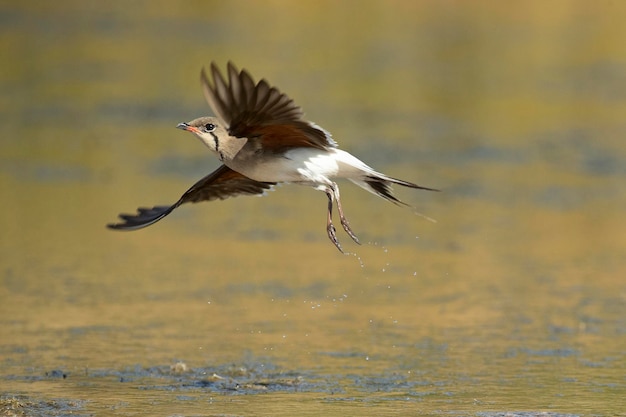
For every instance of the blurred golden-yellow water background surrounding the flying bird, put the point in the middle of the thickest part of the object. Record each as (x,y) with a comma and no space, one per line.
(513,299)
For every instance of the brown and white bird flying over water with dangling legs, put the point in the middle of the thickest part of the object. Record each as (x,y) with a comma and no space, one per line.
(261,138)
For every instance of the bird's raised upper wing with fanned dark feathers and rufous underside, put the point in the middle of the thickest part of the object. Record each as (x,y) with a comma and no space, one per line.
(260,112)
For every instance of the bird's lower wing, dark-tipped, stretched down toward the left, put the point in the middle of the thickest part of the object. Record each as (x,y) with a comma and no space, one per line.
(220,184)
